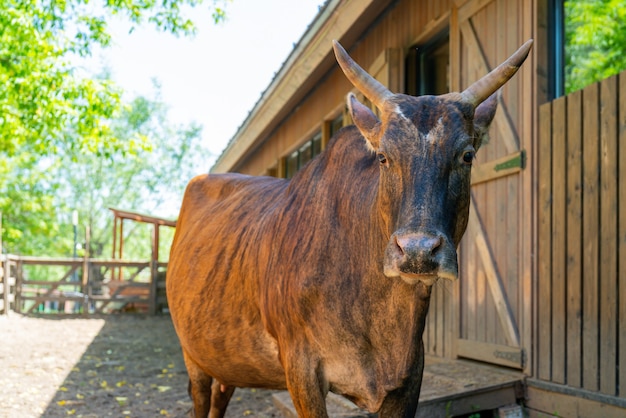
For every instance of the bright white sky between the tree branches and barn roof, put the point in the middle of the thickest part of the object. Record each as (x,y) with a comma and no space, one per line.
(215,78)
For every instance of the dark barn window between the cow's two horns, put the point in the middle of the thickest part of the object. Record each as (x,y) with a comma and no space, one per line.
(427,67)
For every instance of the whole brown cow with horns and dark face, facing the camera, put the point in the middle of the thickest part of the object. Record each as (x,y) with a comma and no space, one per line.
(322,283)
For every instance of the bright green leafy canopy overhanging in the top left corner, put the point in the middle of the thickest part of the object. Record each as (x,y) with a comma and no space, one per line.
(41,96)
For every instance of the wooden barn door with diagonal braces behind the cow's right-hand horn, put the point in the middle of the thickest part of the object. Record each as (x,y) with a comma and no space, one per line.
(493,304)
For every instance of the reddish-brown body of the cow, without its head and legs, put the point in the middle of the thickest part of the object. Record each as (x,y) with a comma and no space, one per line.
(266,286)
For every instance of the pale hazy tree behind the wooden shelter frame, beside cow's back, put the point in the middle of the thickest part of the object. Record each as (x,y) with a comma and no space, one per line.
(149,180)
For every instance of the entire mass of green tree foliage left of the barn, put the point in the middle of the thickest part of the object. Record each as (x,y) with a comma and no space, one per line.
(52,118)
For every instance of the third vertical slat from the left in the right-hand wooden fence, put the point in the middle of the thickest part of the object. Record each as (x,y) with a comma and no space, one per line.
(574,230)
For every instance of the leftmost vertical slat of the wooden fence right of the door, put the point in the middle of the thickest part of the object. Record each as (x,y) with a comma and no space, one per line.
(544,246)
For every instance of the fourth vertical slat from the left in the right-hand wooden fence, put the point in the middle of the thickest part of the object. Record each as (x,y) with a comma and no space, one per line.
(591,202)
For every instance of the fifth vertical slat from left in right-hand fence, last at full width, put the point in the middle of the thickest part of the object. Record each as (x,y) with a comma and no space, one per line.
(608,235)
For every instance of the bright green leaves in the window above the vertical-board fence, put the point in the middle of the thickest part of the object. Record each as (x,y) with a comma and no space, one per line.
(595,41)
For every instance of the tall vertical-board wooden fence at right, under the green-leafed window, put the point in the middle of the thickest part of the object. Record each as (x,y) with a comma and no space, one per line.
(581,283)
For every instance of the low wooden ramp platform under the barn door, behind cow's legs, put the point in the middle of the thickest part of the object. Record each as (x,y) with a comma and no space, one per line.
(450,388)
